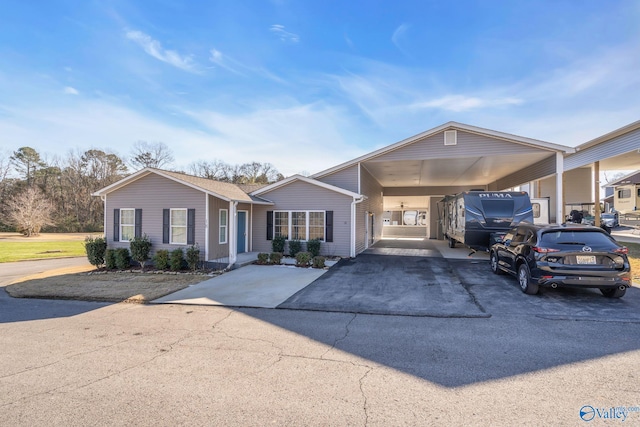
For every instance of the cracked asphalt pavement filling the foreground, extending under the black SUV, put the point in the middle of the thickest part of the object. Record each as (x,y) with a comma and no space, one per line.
(531,361)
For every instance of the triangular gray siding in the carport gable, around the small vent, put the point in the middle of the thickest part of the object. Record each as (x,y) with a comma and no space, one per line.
(469,145)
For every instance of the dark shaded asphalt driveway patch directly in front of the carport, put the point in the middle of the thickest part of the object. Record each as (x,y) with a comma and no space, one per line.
(389,284)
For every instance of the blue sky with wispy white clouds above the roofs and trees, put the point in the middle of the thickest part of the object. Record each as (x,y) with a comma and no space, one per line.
(306,85)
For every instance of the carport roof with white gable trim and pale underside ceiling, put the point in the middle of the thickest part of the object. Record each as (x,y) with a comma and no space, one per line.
(466,169)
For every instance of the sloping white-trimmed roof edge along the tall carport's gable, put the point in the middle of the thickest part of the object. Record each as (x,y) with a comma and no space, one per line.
(449,126)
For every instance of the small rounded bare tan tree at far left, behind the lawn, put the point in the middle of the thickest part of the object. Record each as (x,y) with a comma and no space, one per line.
(29,211)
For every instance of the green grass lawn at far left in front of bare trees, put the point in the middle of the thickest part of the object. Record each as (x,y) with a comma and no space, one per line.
(18,251)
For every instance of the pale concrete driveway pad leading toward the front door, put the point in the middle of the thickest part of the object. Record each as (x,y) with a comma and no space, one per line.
(258,286)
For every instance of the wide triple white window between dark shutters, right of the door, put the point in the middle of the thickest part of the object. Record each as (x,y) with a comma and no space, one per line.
(299,225)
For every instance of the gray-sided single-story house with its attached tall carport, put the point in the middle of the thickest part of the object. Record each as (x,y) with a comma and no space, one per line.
(392,191)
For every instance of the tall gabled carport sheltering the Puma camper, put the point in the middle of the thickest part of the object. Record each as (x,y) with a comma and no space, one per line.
(402,183)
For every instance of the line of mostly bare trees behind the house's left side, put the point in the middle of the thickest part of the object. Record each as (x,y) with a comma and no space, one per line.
(54,195)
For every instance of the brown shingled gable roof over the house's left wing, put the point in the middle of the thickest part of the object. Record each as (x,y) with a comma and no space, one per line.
(223,190)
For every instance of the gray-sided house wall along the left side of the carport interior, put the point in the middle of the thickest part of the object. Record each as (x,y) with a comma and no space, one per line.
(372,189)
